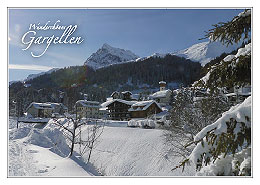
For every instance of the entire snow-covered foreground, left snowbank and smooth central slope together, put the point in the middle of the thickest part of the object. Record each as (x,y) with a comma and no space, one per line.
(41,150)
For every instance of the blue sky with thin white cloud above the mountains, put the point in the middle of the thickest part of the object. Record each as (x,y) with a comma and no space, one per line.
(143,31)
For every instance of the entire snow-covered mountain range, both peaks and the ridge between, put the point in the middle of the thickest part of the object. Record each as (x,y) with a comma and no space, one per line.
(202,52)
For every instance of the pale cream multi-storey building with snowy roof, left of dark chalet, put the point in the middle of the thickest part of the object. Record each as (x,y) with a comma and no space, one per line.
(87,109)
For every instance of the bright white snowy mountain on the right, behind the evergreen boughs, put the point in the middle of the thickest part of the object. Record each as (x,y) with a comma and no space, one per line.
(204,52)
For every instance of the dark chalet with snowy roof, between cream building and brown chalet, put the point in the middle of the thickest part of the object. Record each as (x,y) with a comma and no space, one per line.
(118,109)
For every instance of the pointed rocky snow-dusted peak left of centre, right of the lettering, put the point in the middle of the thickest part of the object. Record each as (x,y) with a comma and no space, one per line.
(108,55)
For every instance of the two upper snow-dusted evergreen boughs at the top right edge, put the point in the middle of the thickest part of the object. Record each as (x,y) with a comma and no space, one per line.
(233,70)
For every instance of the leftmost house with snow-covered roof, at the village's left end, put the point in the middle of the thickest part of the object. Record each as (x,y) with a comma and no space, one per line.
(45,110)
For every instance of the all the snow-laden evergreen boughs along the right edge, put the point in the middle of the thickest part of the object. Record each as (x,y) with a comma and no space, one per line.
(224,147)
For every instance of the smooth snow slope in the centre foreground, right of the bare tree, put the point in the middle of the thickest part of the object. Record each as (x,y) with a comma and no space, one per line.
(124,151)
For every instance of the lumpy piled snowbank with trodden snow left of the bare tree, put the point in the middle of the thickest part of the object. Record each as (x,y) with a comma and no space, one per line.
(41,150)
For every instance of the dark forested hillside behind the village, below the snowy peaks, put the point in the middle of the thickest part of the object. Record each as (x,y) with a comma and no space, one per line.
(76,81)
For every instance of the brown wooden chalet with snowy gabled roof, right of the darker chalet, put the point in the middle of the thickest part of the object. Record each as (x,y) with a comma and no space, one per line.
(143,109)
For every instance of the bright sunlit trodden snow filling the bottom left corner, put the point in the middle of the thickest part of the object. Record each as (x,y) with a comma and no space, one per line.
(31,160)
